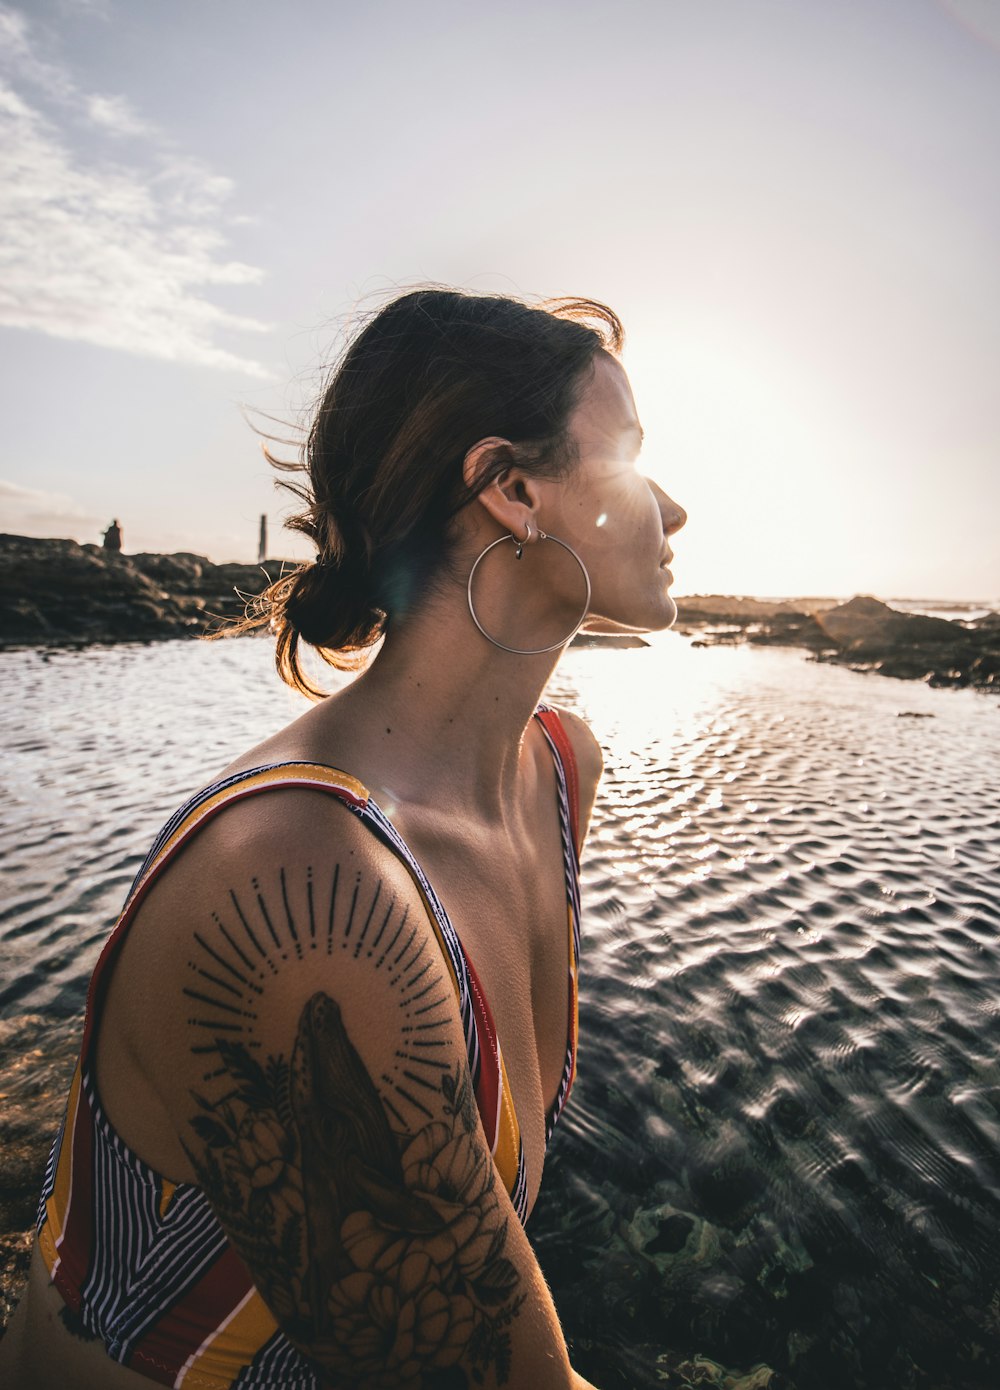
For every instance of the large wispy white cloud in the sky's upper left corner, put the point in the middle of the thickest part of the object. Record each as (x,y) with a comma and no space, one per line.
(99,251)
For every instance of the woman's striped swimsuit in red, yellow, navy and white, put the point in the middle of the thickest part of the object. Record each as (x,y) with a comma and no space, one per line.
(144,1261)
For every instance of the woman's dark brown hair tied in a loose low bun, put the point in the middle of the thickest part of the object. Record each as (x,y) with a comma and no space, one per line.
(428,376)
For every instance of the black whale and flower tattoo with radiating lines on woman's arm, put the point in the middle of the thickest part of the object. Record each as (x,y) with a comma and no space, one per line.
(379,1246)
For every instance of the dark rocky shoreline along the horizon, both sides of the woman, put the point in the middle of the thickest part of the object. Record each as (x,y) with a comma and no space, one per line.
(63,594)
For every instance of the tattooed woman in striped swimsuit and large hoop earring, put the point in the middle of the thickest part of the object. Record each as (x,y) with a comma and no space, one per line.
(296,1152)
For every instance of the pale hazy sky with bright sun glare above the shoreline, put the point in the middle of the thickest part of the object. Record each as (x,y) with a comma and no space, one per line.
(793,206)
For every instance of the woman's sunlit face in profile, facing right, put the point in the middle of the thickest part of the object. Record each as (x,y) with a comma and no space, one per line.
(615,518)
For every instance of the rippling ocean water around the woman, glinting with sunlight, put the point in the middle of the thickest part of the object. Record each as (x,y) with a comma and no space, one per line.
(784,1147)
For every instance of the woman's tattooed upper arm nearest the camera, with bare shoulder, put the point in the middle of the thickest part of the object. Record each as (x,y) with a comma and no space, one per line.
(322,1092)
